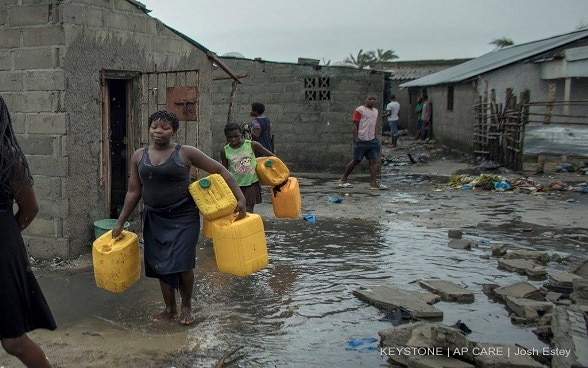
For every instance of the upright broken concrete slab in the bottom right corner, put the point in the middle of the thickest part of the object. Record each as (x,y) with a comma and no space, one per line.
(570,336)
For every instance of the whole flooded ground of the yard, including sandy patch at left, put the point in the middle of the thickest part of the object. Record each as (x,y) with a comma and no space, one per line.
(300,310)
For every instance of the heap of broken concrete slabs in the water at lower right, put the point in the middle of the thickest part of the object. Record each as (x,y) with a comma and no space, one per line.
(558,310)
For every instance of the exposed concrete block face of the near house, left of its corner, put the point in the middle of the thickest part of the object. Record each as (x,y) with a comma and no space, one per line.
(32,83)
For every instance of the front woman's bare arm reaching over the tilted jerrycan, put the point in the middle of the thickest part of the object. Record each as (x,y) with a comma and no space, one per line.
(202,161)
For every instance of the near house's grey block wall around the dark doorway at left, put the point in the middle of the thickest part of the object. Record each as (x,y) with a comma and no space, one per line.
(51,57)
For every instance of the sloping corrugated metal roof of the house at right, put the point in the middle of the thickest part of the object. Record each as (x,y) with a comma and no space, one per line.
(496,59)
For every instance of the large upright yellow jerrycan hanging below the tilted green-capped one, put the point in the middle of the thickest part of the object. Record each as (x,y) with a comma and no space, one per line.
(239,246)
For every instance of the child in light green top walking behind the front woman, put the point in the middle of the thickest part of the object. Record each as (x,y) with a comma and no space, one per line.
(238,157)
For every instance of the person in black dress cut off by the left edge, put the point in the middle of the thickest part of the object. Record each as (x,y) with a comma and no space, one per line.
(23,307)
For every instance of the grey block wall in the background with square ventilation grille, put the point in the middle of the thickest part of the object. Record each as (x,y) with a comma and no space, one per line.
(312,136)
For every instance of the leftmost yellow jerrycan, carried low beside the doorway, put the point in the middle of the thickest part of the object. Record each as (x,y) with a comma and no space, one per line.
(117,263)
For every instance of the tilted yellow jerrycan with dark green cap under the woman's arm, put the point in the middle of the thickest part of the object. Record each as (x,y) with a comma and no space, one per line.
(213,197)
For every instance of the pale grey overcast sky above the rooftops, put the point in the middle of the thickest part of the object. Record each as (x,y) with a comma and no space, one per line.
(284,30)
